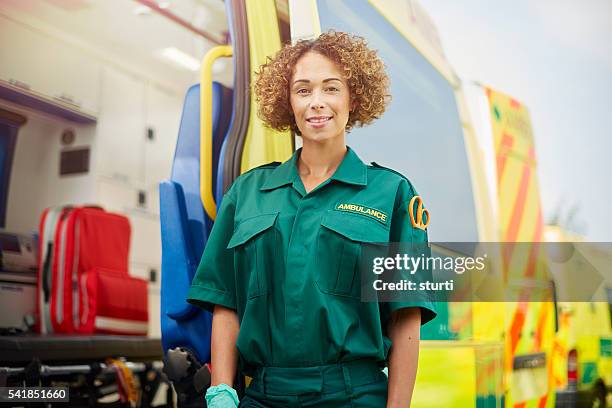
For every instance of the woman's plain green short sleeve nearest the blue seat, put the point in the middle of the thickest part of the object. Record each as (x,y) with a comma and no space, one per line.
(213,283)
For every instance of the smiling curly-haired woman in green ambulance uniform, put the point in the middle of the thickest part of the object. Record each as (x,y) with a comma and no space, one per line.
(279,271)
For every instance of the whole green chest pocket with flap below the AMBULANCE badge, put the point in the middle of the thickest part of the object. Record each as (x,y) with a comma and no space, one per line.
(339,246)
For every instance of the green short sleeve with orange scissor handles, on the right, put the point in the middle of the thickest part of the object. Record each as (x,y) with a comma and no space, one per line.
(407,236)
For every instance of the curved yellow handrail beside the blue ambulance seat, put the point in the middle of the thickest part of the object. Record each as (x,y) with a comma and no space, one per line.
(206,194)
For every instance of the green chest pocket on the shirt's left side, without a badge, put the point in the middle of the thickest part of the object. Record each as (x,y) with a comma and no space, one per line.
(255,242)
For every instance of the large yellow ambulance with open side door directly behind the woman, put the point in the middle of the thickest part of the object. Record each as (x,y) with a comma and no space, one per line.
(98,117)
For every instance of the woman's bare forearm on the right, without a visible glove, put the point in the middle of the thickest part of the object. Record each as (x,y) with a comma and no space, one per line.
(404,332)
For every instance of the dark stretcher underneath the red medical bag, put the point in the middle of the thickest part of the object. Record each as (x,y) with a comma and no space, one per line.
(94,368)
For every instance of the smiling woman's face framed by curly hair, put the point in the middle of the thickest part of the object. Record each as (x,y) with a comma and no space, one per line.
(320,98)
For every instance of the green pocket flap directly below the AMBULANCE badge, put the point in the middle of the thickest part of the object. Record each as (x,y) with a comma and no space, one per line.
(356,227)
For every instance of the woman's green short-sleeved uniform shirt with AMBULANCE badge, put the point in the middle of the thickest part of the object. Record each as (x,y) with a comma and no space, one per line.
(286,261)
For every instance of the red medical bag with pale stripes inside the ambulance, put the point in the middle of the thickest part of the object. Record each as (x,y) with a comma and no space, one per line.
(84,284)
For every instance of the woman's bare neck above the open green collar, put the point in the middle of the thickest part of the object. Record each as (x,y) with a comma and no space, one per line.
(320,160)
